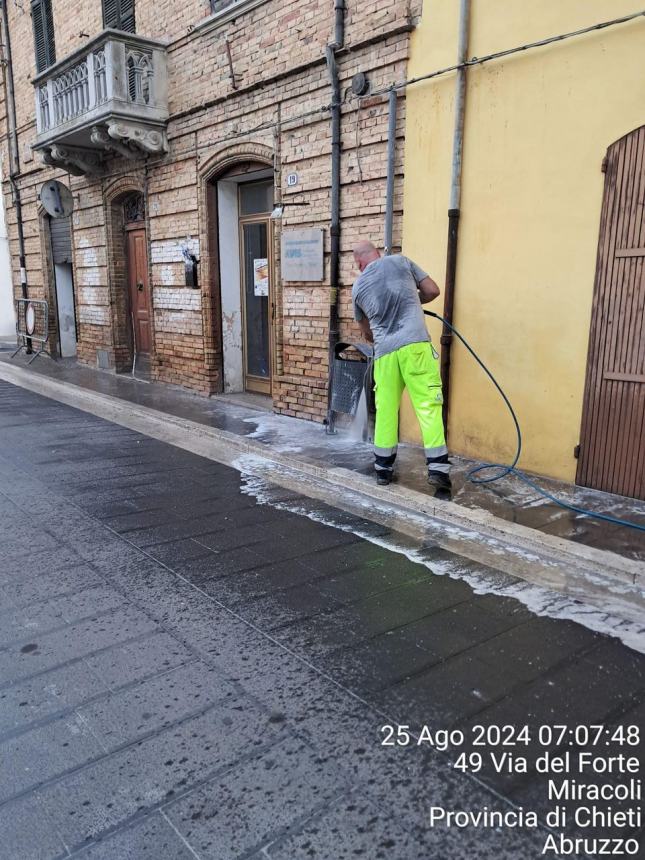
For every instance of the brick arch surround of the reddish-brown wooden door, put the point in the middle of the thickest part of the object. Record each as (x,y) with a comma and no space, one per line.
(122,338)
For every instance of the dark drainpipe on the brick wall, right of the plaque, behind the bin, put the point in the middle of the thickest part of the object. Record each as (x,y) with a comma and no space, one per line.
(334,231)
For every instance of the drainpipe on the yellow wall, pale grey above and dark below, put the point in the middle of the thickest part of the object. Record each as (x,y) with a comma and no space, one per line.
(454,211)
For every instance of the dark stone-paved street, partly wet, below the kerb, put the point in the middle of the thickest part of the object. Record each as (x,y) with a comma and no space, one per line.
(185,672)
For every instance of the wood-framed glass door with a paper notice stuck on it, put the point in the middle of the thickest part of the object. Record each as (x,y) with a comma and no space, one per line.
(256,303)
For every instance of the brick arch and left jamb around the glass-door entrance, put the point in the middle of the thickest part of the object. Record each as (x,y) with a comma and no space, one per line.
(211,168)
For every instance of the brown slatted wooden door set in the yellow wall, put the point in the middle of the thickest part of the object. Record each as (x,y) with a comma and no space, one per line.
(612,444)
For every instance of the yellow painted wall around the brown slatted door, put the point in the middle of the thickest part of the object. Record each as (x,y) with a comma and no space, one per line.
(537,128)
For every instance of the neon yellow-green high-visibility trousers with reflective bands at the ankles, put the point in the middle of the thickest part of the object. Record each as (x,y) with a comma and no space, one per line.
(416,368)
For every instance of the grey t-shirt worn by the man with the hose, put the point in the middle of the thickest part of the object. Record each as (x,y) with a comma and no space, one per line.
(386,293)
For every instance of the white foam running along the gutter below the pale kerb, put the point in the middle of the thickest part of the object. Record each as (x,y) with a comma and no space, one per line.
(537,599)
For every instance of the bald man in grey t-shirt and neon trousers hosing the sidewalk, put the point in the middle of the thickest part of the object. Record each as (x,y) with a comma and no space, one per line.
(387,298)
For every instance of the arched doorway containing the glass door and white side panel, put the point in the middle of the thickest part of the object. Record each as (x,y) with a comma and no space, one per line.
(241,200)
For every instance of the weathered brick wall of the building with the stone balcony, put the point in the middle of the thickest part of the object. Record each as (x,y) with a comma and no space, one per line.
(277,55)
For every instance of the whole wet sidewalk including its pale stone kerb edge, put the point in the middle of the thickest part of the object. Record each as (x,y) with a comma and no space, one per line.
(506,525)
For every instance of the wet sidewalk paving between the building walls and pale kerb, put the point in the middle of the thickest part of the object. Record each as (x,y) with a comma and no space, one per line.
(508,499)
